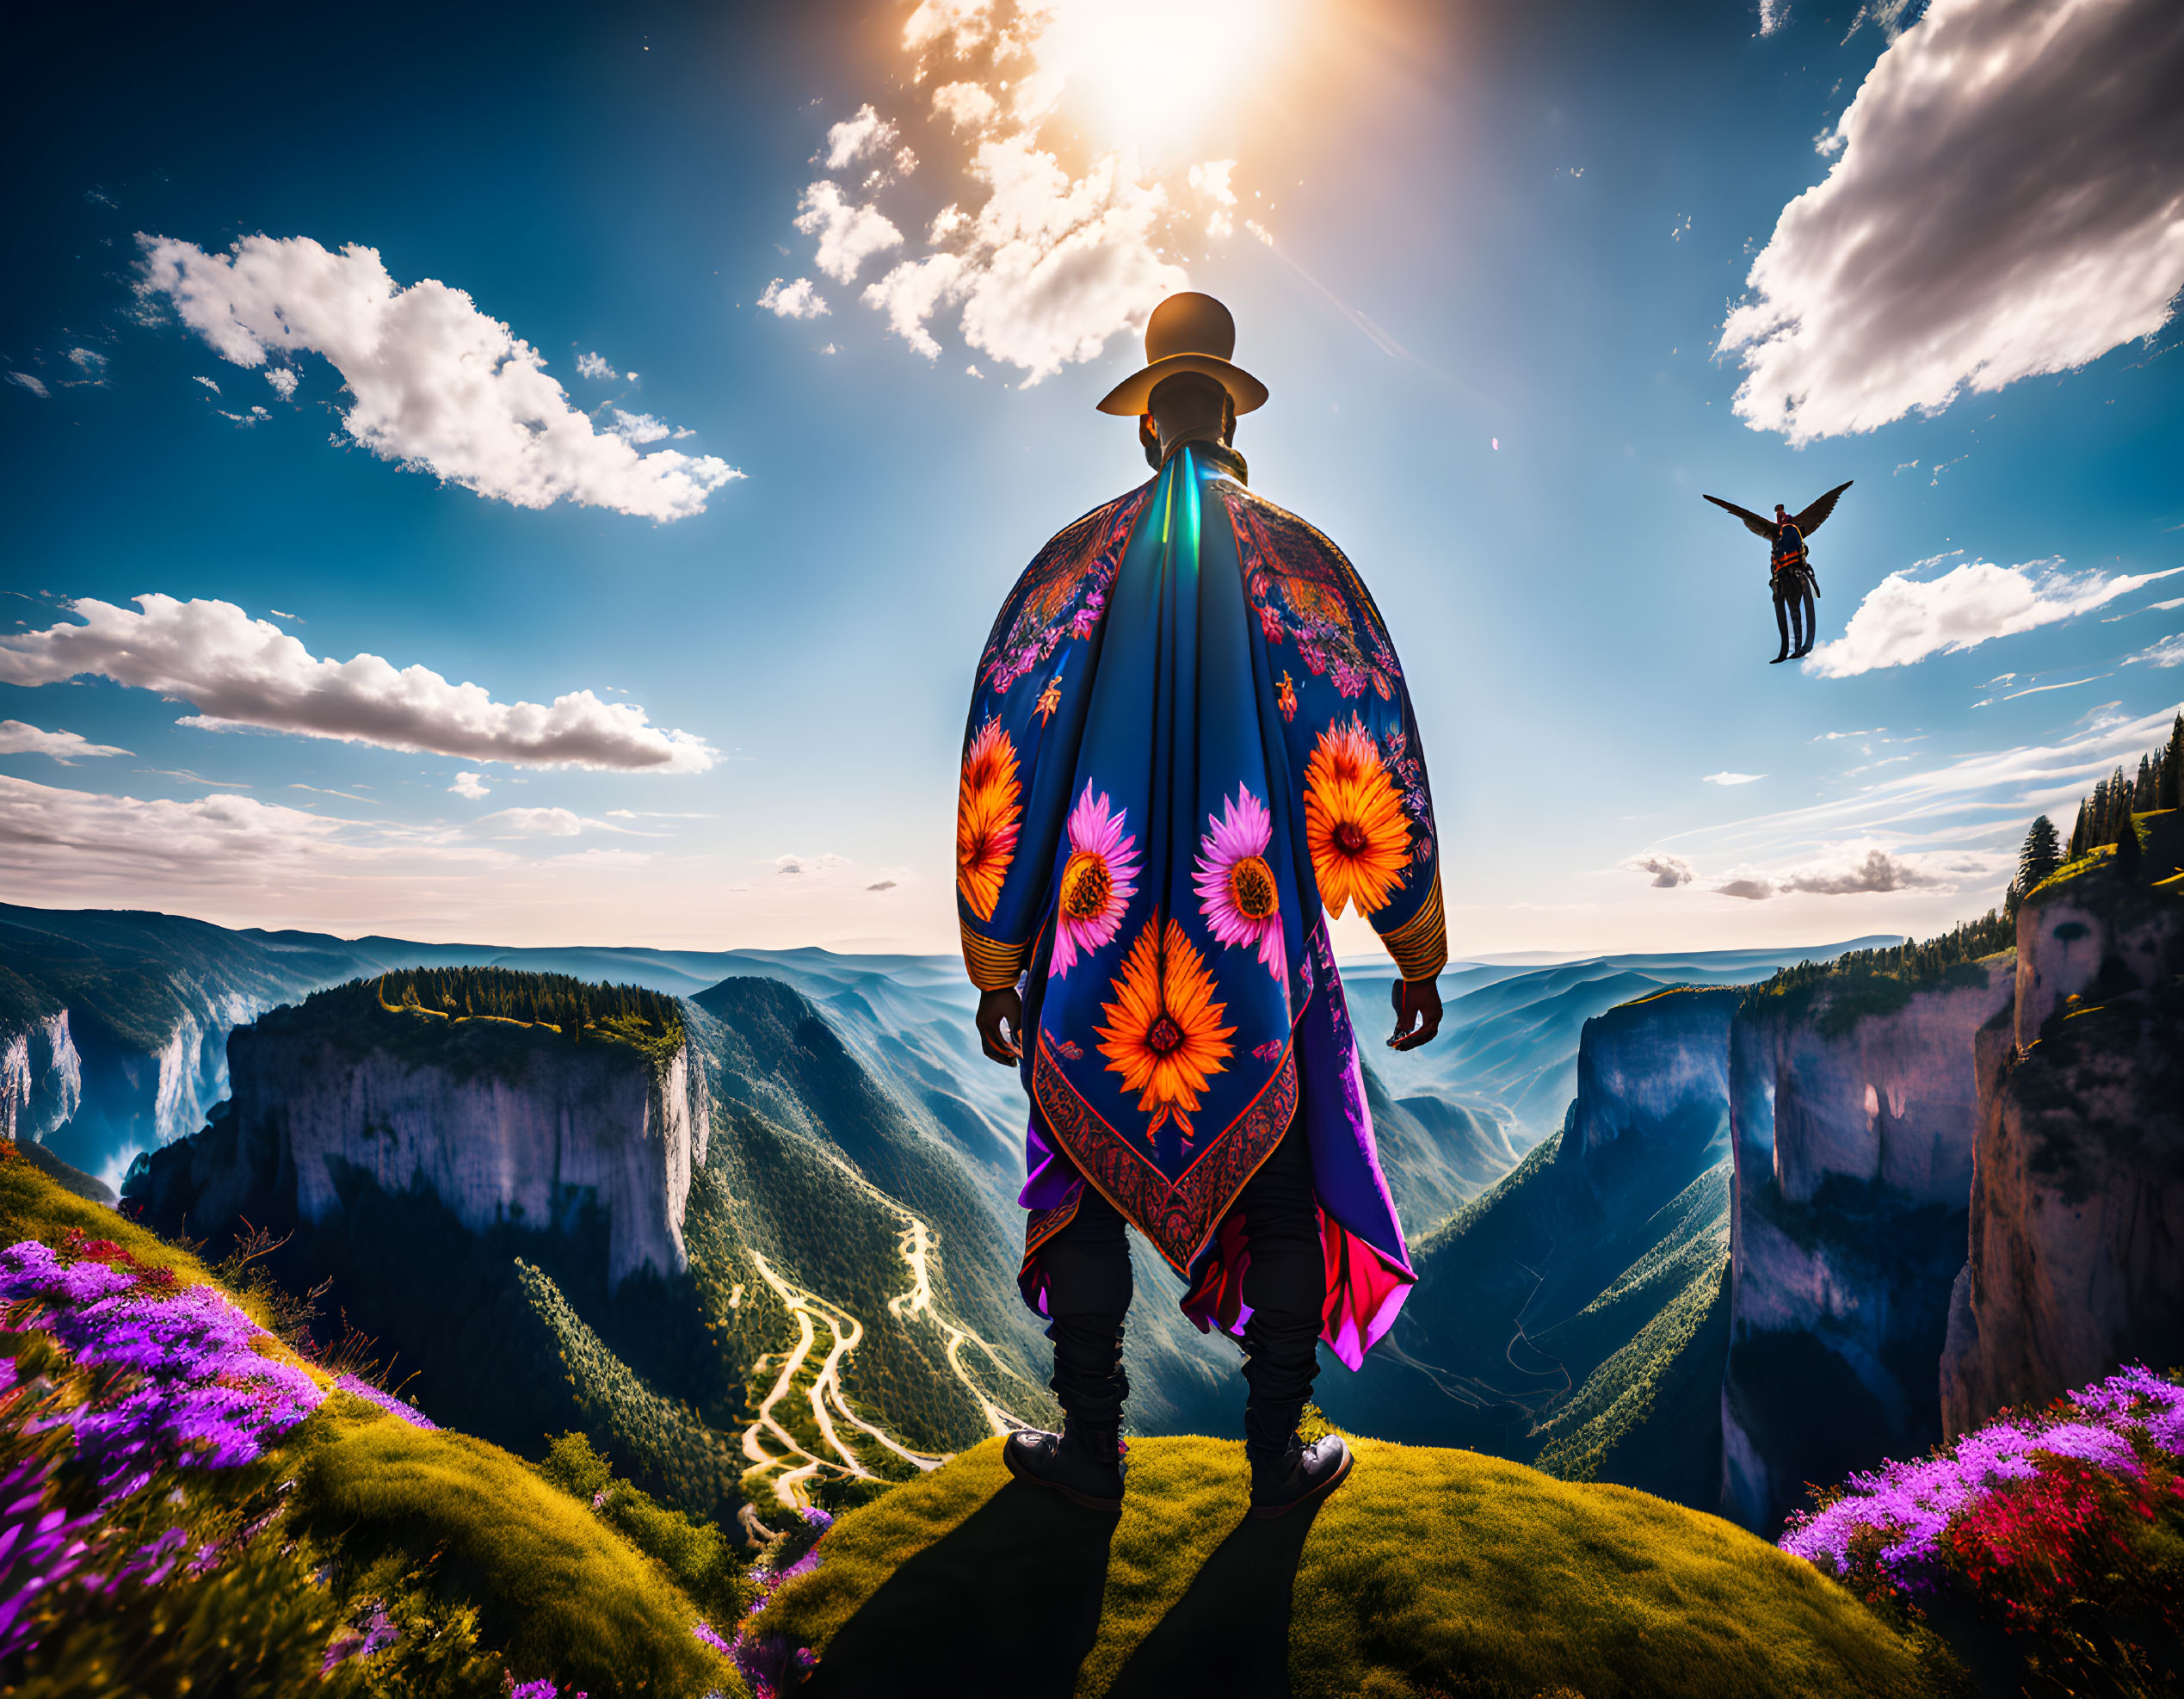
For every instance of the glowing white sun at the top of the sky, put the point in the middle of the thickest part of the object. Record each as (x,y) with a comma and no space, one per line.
(1165,75)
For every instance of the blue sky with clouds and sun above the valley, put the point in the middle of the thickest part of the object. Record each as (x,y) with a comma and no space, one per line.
(547,475)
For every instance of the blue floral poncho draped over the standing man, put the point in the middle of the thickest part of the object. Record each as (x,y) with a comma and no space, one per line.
(1187,746)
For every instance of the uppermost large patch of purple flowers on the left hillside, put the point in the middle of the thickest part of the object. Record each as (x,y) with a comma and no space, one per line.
(195,1392)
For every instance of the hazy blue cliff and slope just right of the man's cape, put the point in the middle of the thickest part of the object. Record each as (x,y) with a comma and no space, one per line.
(1521,1331)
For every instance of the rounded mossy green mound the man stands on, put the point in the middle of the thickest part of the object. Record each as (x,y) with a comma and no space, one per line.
(1427,1573)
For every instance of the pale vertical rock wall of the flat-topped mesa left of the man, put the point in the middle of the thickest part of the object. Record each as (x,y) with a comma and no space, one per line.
(503,1126)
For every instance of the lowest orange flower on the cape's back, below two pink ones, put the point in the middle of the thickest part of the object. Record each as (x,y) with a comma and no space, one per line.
(1165,1034)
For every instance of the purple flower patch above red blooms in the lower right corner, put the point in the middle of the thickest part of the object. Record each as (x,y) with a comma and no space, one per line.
(1914,1506)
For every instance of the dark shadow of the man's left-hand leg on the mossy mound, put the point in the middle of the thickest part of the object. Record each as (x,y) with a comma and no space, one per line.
(1028,1571)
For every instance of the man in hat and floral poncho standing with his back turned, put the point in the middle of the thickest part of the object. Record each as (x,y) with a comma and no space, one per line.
(1191,748)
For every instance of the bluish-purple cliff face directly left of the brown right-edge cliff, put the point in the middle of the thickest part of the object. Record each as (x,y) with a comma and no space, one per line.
(1853,1108)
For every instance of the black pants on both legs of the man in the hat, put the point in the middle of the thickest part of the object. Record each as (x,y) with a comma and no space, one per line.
(1089,1292)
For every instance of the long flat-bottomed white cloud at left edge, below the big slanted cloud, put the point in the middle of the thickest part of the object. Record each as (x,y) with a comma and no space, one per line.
(250,674)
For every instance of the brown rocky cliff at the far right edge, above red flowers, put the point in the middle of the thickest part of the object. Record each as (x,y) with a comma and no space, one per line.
(2078,1202)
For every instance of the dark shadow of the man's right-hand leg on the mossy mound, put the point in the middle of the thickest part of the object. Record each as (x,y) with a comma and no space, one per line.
(1231,1632)
